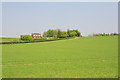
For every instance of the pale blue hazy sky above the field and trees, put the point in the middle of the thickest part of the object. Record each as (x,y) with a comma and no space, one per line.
(88,17)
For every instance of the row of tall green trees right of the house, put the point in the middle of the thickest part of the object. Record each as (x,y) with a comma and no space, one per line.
(61,34)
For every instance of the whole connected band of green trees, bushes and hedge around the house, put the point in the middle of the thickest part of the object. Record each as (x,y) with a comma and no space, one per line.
(53,35)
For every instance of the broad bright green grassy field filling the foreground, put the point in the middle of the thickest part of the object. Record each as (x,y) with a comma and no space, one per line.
(86,57)
